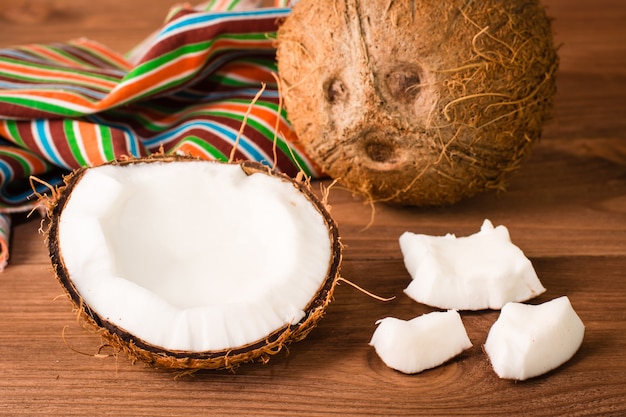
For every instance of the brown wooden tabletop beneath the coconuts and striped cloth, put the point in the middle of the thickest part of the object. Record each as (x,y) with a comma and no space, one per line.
(566,209)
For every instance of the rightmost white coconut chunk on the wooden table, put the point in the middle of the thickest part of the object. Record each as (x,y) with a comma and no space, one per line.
(529,340)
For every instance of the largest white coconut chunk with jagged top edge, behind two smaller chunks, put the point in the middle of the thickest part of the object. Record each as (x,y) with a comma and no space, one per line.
(482,271)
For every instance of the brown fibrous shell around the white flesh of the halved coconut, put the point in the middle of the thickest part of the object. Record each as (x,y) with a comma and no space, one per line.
(137,349)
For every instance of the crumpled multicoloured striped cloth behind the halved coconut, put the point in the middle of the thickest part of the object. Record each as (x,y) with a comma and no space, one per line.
(187,88)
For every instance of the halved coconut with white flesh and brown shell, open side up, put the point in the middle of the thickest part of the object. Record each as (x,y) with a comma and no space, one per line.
(192,264)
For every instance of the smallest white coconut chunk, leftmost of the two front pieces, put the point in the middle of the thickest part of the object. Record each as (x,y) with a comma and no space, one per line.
(421,343)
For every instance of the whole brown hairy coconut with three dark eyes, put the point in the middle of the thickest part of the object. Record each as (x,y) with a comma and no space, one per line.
(417,102)
